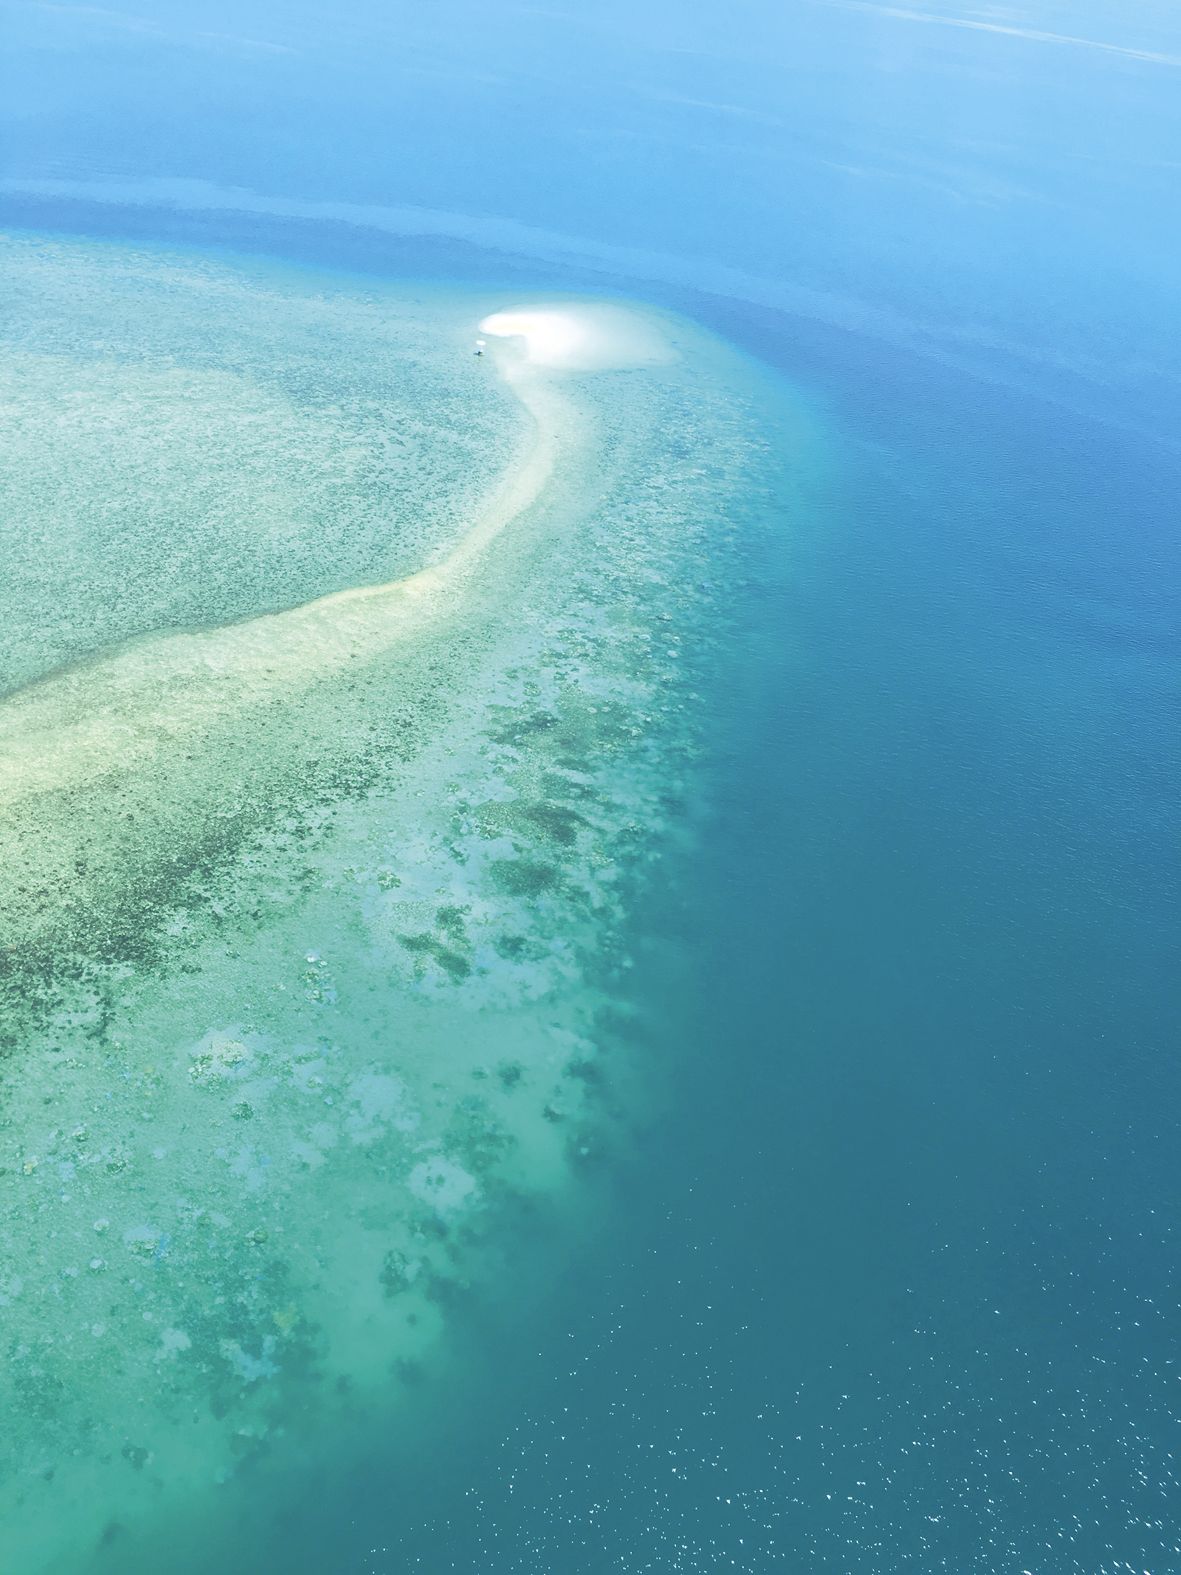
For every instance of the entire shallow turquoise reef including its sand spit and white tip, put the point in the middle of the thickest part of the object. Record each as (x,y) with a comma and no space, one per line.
(349,700)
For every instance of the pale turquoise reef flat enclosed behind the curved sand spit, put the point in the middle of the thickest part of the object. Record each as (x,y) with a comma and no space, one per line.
(188,445)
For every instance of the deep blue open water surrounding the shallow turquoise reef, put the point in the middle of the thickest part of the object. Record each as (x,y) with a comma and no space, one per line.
(892,1283)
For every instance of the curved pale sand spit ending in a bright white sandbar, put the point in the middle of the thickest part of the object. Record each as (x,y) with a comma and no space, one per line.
(73,727)
